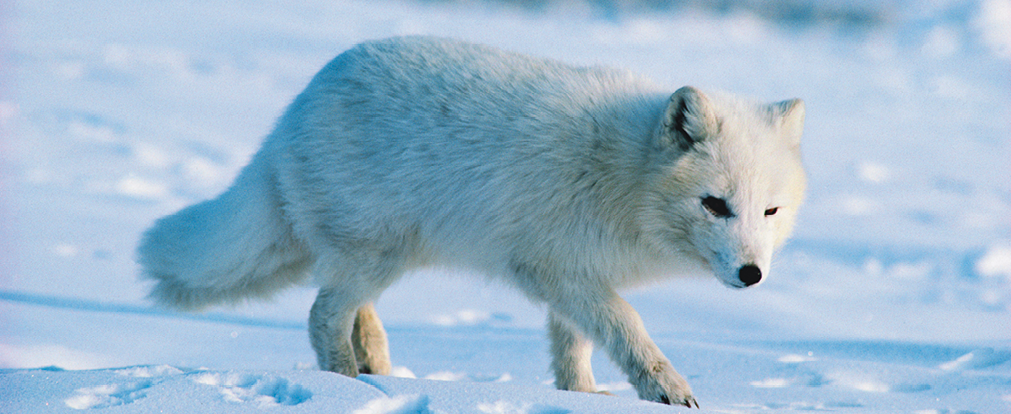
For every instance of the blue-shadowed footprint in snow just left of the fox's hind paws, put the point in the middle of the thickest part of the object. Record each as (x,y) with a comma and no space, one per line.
(260,390)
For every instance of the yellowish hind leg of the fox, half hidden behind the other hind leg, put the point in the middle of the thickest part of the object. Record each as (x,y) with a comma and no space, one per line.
(370,342)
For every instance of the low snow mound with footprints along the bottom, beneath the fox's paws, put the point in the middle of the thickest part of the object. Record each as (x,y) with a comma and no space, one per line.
(161,388)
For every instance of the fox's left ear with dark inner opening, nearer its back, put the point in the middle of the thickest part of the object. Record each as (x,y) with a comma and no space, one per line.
(689,119)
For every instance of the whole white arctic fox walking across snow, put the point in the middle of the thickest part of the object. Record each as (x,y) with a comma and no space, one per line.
(566,183)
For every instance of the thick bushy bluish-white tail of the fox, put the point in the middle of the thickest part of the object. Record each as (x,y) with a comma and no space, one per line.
(225,251)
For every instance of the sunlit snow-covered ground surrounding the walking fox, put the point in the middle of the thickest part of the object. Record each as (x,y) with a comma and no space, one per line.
(895,295)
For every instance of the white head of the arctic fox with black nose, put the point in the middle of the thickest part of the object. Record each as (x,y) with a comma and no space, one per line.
(729,182)
